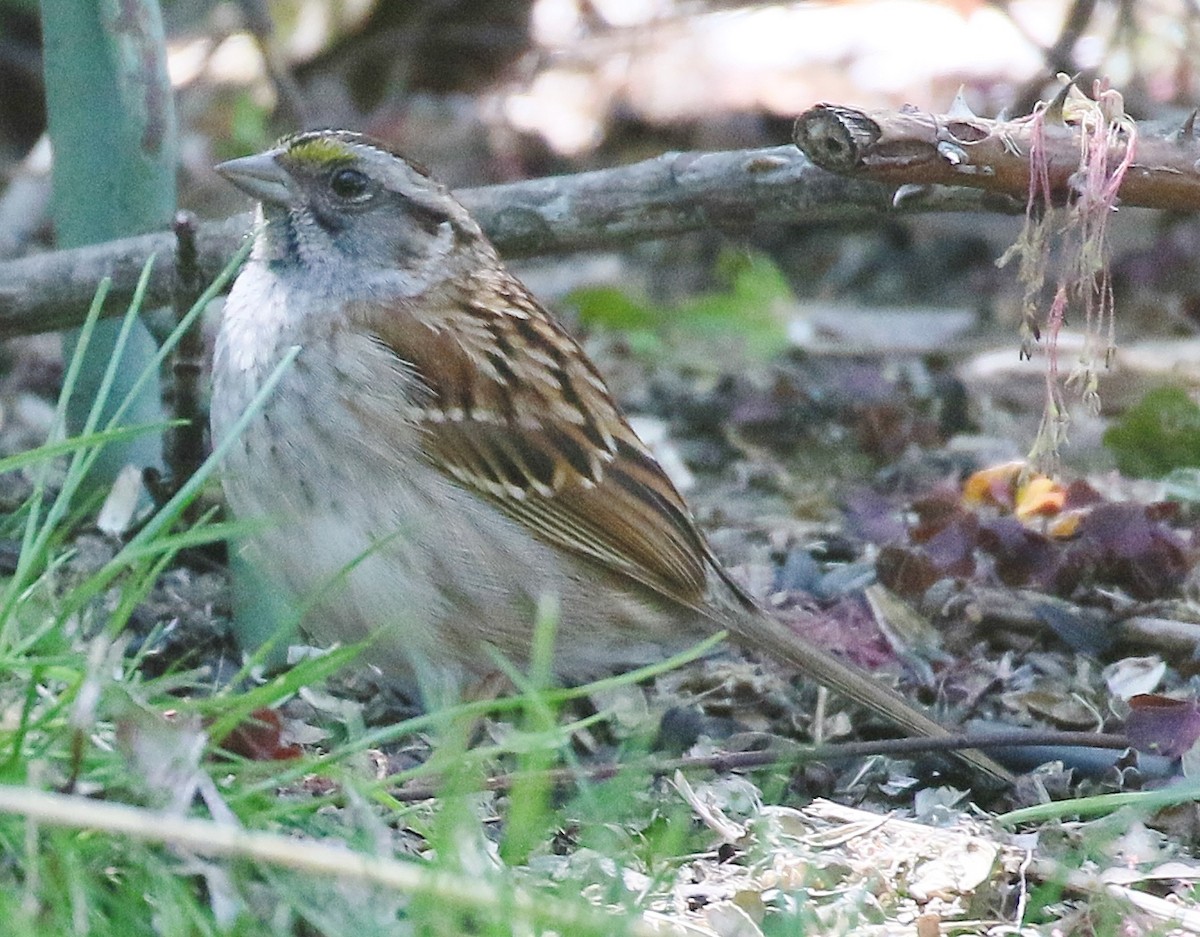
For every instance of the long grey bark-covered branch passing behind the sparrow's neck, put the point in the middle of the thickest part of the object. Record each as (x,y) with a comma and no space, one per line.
(670,195)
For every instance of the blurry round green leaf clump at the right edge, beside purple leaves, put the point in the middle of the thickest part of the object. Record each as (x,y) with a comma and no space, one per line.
(1160,434)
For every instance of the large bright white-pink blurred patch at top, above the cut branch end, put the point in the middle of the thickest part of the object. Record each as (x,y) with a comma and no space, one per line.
(781,58)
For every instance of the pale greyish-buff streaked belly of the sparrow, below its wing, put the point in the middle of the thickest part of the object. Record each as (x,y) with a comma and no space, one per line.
(375,543)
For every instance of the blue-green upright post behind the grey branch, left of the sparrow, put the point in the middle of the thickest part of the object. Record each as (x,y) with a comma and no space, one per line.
(112,123)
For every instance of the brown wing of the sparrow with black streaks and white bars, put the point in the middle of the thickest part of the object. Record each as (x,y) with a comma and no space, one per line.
(518,413)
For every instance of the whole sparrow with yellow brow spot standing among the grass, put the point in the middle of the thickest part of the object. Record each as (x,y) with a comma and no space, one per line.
(442,453)
